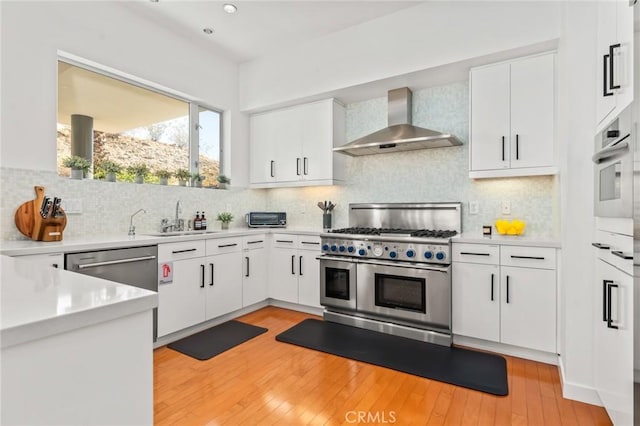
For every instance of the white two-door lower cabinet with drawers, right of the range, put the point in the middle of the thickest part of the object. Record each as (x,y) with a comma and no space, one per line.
(509,299)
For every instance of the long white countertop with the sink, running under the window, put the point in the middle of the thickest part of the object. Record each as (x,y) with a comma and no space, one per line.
(100,242)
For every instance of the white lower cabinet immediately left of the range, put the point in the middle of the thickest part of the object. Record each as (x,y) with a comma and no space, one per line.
(295,272)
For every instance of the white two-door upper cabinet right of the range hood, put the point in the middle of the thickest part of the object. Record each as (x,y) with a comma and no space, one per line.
(513,118)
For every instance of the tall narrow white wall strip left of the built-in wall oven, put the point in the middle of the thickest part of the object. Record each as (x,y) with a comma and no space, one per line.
(576,119)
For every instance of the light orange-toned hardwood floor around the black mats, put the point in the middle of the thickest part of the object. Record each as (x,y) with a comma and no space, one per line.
(265,382)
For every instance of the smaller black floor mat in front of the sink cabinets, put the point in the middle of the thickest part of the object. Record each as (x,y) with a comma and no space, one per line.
(215,340)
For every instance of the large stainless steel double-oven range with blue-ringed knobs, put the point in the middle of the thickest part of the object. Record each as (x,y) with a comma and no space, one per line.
(390,271)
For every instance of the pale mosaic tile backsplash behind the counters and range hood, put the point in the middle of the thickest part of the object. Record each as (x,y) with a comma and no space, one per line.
(431,175)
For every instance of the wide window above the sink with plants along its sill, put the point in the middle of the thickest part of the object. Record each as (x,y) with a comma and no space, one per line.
(108,119)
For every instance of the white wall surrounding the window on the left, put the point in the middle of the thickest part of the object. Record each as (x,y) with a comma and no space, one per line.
(107,33)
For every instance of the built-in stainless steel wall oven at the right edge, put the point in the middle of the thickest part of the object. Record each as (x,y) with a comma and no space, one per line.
(614,163)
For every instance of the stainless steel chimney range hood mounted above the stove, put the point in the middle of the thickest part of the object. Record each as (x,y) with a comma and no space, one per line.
(400,135)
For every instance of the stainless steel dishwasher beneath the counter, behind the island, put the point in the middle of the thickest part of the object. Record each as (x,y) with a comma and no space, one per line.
(135,266)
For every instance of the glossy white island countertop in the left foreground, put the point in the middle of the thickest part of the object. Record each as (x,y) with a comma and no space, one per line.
(39,301)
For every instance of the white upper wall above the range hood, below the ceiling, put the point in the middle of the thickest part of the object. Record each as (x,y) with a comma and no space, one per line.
(413,39)
